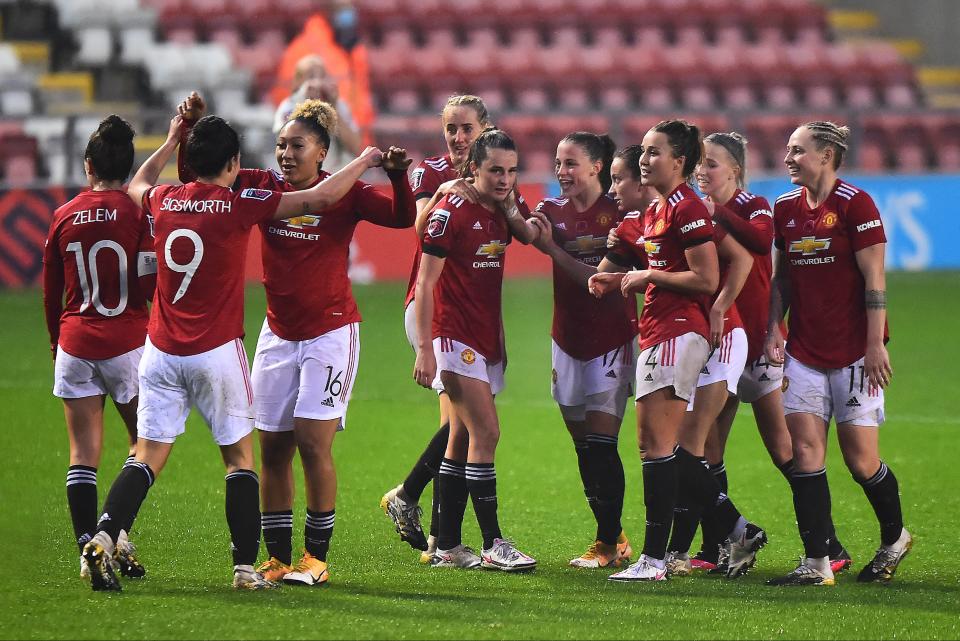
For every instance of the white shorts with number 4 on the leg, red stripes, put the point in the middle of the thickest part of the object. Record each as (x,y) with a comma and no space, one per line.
(673,363)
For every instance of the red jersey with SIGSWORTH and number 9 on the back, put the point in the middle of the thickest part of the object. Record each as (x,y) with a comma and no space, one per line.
(201,233)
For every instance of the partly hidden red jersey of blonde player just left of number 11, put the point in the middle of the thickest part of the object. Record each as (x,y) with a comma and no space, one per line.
(753,303)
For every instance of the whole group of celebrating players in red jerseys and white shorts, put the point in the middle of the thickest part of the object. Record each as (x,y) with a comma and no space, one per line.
(156,323)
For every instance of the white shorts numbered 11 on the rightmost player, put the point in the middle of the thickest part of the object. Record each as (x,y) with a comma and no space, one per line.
(843,393)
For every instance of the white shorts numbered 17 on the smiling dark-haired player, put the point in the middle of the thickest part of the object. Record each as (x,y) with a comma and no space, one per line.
(601,384)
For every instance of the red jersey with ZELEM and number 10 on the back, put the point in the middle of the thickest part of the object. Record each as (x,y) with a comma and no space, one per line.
(98,245)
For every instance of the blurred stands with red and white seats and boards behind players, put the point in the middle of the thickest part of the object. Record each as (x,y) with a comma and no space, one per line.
(889,69)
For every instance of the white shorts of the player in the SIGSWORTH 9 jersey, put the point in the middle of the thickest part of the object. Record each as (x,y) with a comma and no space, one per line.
(216,382)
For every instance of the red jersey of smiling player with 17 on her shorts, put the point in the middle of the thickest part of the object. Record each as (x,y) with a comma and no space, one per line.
(583,326)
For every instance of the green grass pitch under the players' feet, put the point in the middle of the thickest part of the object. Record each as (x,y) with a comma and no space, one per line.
(378,590)
